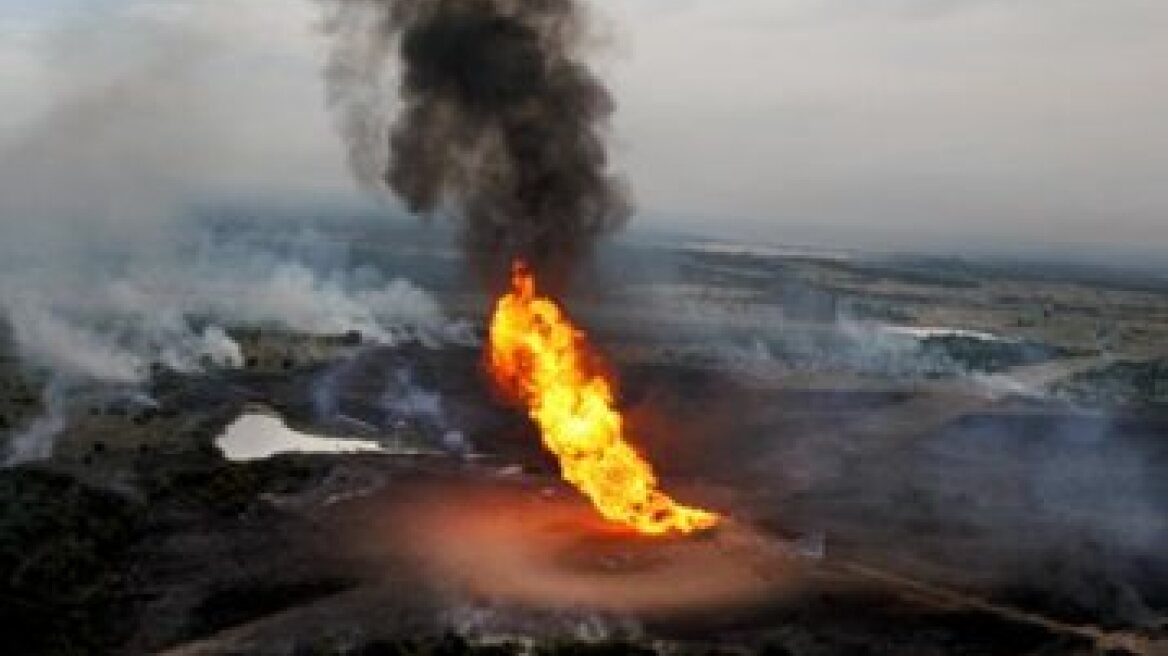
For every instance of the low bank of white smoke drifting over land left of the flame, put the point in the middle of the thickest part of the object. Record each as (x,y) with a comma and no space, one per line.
(179,317)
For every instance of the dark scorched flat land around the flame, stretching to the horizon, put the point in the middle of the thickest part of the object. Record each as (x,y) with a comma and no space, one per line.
(887,488)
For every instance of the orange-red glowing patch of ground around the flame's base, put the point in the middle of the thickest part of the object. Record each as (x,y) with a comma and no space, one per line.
(553,552)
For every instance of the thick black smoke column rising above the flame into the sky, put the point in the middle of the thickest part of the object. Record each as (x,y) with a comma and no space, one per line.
(500,122)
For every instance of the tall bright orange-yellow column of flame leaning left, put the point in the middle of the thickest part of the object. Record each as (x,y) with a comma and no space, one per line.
(540,360)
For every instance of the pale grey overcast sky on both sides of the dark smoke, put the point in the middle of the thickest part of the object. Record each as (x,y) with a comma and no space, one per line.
(894,124)
